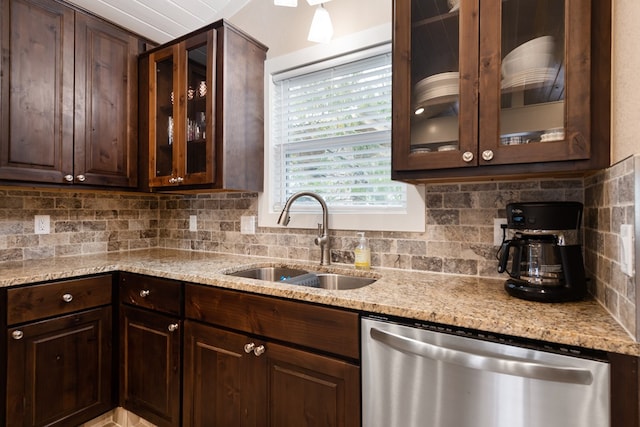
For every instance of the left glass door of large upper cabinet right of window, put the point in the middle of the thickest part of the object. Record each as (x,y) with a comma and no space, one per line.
(435,91)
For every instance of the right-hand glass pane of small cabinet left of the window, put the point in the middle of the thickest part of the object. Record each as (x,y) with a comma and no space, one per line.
(197,95)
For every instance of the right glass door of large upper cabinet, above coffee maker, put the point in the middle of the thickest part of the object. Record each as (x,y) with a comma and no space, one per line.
(535,81)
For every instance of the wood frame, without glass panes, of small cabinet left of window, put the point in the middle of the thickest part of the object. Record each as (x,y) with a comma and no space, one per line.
(235,112)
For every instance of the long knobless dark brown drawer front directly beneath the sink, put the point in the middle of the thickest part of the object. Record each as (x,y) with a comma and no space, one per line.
(322,328)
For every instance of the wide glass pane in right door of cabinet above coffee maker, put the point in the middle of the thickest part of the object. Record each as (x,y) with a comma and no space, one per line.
(532,97)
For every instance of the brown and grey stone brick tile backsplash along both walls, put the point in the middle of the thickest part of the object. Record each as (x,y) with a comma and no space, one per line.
(458,237)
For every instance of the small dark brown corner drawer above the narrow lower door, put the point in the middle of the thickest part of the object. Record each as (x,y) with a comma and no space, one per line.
(150,292)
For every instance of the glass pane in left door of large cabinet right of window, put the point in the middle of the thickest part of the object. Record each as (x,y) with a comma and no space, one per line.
(435,77)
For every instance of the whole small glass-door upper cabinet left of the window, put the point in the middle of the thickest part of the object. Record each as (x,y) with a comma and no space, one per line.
(201,109)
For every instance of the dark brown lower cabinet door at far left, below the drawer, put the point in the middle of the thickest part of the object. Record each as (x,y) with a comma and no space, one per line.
(59,370)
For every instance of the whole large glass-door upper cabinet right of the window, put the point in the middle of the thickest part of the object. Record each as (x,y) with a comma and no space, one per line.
(486,89)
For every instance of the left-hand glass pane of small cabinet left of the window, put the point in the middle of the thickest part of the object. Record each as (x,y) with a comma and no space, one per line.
(164,117)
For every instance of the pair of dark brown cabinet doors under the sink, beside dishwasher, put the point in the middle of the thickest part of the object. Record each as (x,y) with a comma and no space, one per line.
(233,379)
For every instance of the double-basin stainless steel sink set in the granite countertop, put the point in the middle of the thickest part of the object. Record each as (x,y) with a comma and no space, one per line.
(301,277)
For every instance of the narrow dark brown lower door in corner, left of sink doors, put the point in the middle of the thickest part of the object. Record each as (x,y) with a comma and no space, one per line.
(150,365)
